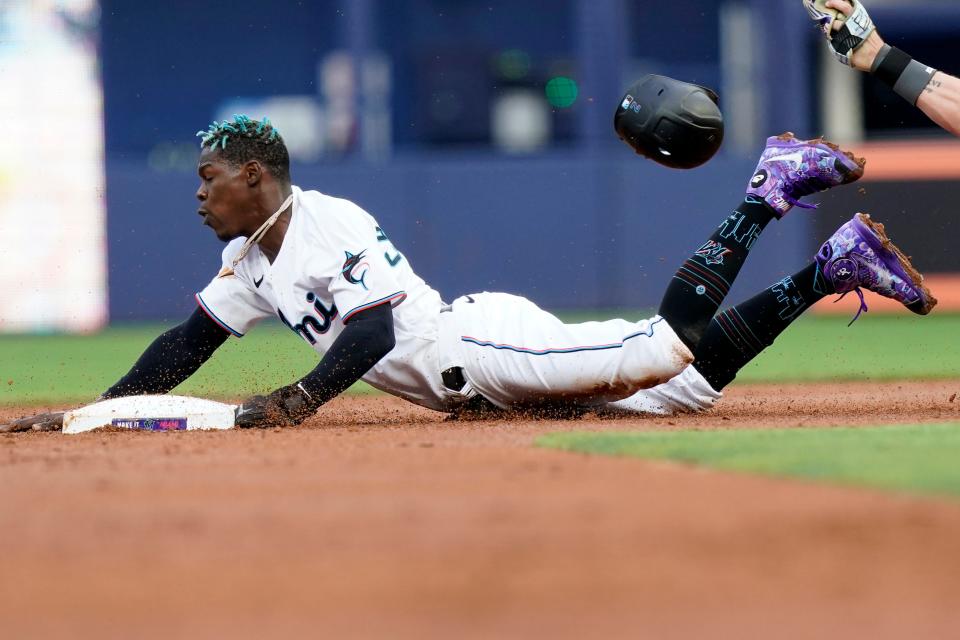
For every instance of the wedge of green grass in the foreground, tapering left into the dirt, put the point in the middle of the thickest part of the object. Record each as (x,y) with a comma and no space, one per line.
(911,458)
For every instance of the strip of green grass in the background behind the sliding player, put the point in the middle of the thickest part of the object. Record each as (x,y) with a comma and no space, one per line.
(61,368)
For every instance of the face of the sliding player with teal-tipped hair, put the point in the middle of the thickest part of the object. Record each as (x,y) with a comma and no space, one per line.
(225,198)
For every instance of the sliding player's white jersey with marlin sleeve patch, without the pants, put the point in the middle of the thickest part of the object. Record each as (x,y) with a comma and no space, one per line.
(335,262)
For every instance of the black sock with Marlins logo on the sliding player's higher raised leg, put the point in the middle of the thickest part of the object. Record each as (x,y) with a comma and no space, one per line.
(699,287)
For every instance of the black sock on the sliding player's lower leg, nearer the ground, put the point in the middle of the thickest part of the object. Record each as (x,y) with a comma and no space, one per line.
(737,335)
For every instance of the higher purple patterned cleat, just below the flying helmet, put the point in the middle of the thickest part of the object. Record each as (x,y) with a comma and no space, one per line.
(790,169)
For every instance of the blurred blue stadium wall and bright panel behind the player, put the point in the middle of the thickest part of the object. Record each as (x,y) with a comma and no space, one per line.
(479,133)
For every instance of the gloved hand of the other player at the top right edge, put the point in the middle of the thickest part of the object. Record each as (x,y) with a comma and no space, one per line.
(852,35)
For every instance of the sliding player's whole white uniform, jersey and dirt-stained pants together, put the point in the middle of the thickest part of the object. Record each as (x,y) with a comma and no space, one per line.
(335,261)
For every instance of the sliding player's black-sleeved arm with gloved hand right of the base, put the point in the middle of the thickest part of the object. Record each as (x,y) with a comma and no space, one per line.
(367,338)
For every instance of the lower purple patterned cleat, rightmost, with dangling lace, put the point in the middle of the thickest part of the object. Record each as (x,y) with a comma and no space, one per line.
(859,254)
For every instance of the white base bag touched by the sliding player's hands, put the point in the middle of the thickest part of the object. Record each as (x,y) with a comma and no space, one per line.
(151,413)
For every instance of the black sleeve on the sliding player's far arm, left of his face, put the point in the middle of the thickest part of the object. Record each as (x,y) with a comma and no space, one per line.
(172,358)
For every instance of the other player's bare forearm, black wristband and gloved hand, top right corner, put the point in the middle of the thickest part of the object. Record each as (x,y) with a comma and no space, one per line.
(857,43)
